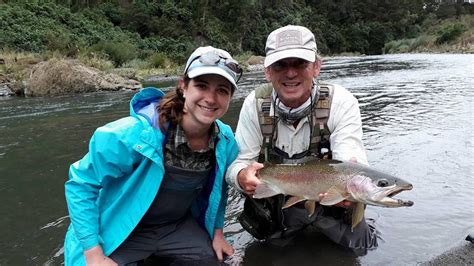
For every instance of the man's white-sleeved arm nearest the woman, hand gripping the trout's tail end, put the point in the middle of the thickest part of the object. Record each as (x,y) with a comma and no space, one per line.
(241,174)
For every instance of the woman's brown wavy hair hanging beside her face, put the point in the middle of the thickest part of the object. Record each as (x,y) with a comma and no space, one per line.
(171,106)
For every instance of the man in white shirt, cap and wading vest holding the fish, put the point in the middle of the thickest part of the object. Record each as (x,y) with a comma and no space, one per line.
(289,121)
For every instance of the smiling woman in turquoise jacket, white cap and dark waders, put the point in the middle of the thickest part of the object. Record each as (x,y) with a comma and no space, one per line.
(152,183)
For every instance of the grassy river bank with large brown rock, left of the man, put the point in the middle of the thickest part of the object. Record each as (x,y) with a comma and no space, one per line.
(26,74)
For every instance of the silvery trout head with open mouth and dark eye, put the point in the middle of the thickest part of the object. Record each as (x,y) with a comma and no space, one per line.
(378,190)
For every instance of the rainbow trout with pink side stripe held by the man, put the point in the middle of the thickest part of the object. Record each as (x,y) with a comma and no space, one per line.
(340,180)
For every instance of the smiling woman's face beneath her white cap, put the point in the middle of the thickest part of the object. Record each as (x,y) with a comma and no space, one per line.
(207,98)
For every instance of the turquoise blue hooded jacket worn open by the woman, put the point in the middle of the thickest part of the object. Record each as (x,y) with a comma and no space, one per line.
(111,188)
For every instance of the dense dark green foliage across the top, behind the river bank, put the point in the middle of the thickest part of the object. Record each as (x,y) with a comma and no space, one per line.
(161,32)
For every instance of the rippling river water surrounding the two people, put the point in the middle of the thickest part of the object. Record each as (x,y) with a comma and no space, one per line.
(417,113)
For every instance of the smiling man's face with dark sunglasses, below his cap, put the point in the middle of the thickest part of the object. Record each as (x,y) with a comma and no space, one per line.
(292,79)
